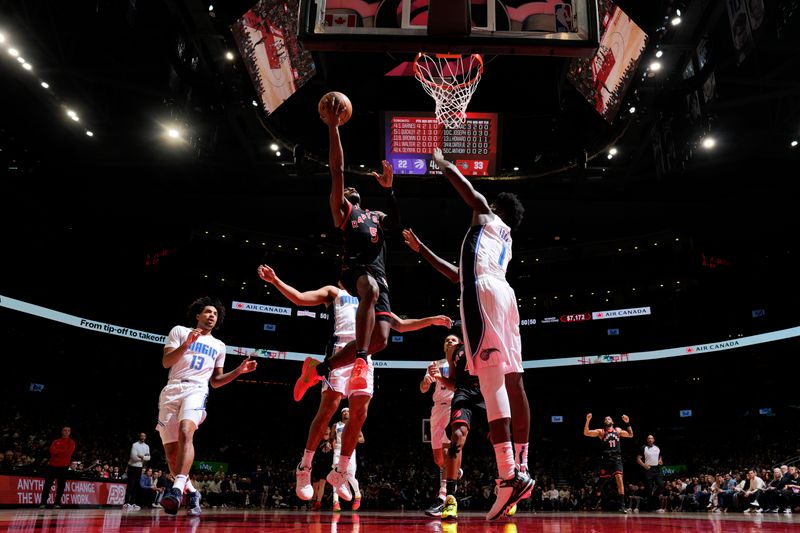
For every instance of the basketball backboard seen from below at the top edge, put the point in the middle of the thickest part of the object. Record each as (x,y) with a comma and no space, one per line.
(566,28)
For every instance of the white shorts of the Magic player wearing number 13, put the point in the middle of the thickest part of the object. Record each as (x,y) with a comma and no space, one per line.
(180,401)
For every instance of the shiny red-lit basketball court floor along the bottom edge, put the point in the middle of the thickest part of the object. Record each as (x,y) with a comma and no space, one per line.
(377,522)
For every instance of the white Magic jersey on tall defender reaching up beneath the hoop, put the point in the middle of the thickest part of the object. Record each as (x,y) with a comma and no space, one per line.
(486,251)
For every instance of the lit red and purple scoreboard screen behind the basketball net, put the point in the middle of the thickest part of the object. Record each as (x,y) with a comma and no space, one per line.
(411,138)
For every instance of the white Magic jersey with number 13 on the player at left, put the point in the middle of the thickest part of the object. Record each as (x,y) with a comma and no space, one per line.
(199,360)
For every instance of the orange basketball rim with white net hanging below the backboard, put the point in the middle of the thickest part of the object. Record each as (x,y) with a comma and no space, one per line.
(451,80)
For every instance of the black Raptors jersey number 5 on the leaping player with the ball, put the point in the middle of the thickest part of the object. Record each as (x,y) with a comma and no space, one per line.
(363,239)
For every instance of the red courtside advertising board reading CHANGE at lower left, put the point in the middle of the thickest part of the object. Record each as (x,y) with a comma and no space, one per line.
(24,490)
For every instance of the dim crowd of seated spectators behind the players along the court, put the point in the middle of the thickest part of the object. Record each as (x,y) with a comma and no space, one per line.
(722,479)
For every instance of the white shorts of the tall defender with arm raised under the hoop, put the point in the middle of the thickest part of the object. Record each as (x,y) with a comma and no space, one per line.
(490,324)
